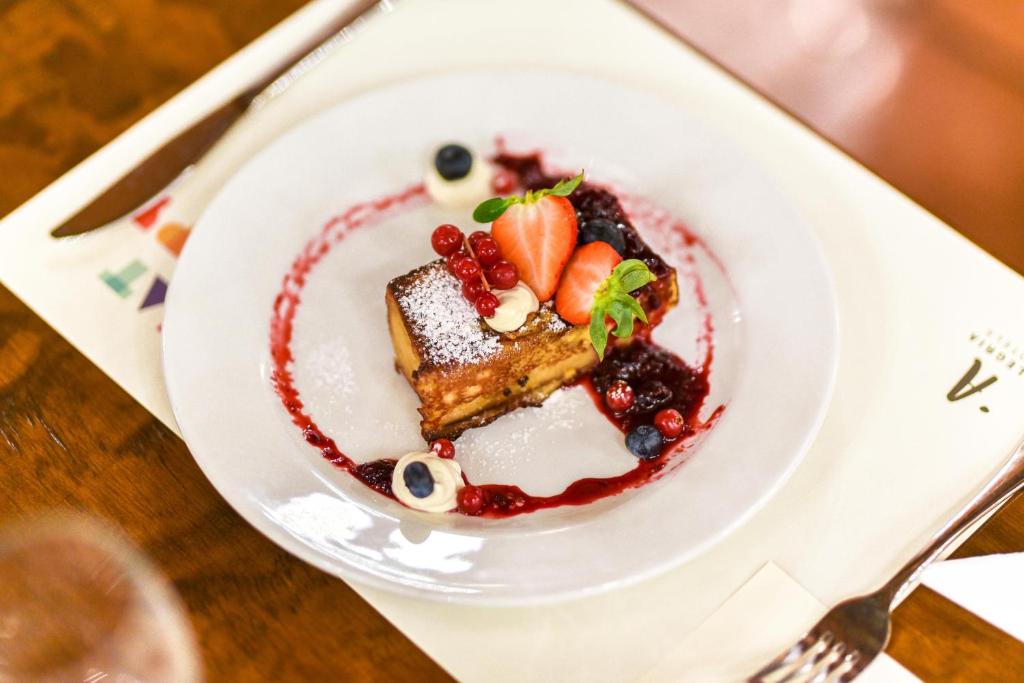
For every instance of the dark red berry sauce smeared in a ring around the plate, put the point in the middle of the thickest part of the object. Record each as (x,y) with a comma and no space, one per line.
(660,379)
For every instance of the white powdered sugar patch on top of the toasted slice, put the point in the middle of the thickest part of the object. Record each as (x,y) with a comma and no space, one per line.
(448,325)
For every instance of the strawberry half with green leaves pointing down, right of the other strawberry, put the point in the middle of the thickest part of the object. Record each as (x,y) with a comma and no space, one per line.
(595,286)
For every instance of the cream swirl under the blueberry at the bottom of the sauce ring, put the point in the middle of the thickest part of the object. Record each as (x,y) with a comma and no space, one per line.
(424,482)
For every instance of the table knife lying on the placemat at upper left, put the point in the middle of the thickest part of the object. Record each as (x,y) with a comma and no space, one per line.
(160,168)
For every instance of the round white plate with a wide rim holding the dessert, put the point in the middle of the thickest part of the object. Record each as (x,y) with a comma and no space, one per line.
(776,345)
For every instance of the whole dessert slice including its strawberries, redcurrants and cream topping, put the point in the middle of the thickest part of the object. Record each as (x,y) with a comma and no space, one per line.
(474,353)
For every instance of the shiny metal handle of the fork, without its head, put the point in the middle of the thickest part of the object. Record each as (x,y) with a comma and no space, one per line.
(1003,487)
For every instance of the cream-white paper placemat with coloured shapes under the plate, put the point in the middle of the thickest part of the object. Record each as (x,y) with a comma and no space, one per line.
(920,307)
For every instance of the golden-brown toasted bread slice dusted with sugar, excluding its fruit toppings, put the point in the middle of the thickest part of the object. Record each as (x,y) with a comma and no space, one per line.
(465,374)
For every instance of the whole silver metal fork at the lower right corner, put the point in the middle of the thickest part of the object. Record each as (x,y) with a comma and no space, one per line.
(849,637)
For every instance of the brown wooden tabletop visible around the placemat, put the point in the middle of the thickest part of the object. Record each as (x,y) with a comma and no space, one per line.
(928,95)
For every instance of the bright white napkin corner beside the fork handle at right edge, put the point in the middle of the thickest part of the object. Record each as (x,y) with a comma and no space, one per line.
(991,586)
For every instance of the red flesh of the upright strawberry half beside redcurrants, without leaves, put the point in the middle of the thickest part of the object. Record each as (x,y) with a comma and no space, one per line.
(539,237)
